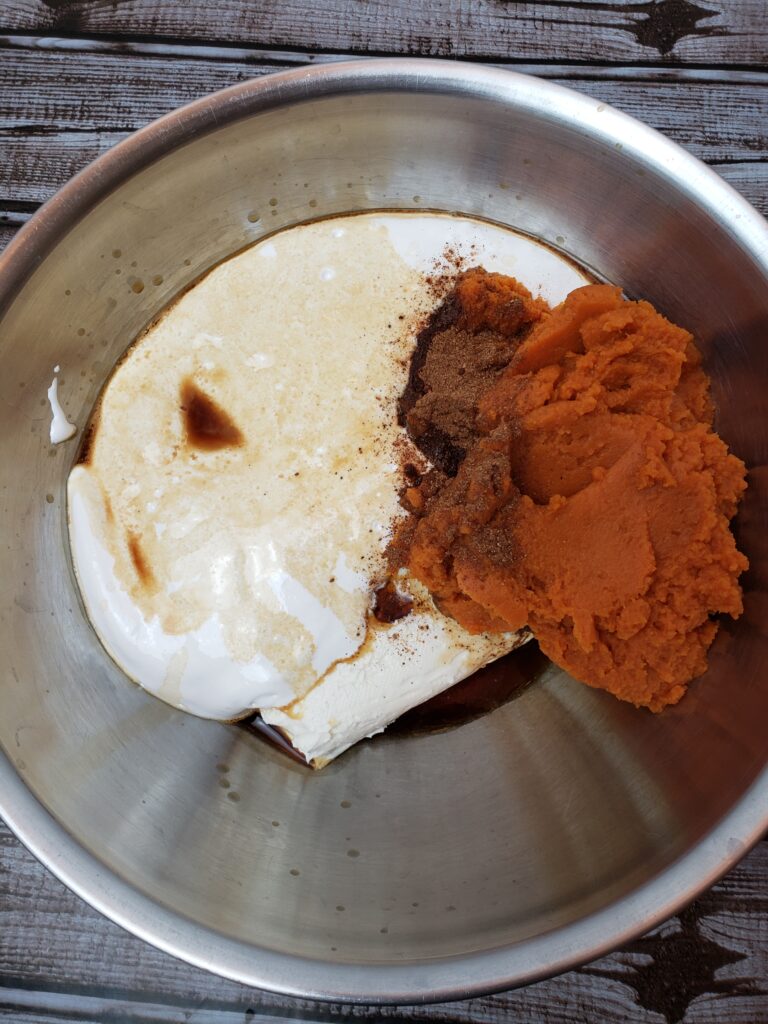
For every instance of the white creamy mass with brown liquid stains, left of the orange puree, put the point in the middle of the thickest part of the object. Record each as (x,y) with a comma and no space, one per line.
(230,513)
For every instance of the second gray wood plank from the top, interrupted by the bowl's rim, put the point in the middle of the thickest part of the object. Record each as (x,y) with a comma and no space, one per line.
(717,118)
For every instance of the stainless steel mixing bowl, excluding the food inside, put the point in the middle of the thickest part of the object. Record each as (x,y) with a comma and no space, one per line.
(508,849)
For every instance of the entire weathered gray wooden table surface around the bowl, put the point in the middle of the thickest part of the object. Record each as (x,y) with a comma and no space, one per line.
(76,77)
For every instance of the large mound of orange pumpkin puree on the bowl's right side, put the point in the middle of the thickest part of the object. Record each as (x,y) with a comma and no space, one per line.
(595,505)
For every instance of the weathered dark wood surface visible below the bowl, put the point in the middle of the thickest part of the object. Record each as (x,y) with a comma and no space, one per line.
(89,966)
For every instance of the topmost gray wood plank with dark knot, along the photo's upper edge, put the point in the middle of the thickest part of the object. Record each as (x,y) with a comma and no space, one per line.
(625,31)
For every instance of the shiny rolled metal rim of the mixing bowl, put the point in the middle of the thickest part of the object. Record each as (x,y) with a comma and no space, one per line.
(443,979)
